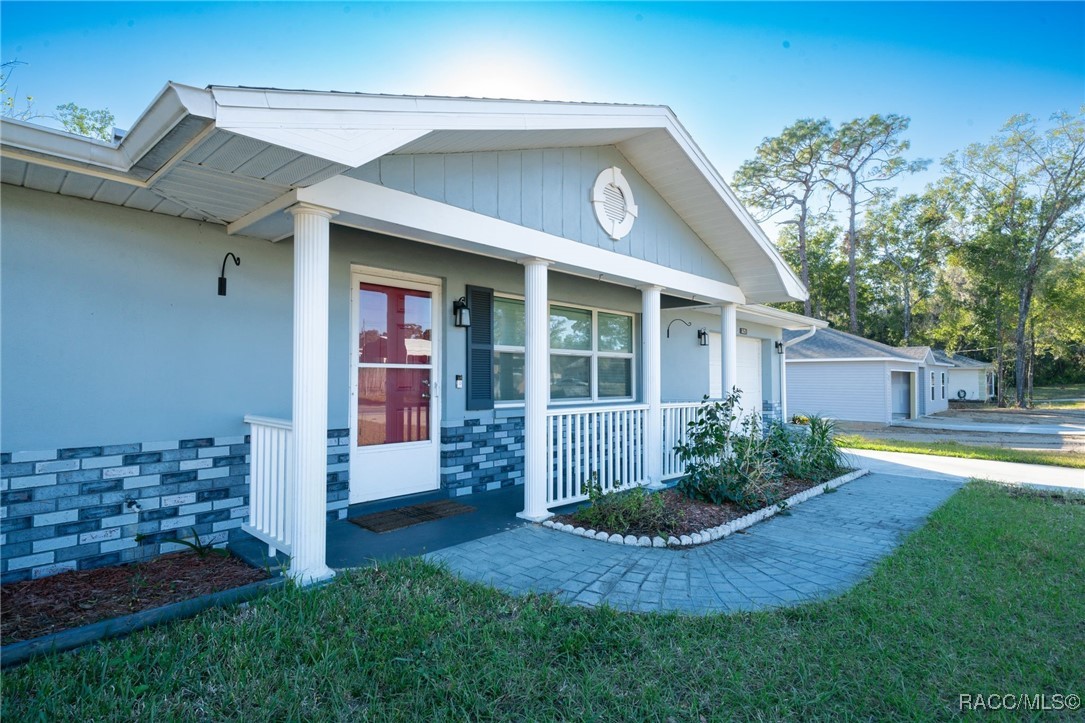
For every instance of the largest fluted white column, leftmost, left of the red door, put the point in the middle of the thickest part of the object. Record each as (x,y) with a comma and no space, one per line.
(310,468)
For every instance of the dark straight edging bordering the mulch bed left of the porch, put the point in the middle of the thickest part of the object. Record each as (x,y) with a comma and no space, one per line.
(69,640)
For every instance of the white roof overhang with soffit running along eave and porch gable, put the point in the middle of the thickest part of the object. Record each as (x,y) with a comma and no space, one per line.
(232,156)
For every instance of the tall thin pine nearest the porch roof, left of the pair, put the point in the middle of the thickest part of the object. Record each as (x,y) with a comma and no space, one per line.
(786,175)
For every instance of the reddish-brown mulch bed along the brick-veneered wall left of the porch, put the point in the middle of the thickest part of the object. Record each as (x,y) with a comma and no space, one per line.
(34,608)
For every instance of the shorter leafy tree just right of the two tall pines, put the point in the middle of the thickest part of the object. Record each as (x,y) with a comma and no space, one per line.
(908,236)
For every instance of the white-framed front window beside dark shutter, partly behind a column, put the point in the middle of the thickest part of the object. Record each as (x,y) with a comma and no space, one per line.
(591,353)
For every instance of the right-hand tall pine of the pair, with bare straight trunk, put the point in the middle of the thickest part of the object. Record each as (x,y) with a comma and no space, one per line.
(865,154)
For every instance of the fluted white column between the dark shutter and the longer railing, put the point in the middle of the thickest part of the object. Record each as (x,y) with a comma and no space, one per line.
(537,392)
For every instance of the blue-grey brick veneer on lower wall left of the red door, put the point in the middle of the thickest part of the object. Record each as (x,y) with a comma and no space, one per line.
(80,509)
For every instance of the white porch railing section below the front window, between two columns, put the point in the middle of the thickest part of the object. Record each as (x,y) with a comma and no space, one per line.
(607,443)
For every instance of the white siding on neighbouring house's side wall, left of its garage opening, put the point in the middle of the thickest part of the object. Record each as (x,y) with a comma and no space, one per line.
(856,391)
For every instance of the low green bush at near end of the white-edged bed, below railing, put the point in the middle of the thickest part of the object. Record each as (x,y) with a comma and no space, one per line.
(630,512)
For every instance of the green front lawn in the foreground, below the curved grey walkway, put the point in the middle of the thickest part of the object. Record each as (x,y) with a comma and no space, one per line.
(988,599)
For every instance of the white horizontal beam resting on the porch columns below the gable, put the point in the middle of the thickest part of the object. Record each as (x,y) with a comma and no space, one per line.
(380,209)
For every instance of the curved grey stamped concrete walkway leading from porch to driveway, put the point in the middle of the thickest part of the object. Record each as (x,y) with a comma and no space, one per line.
(822,549)
